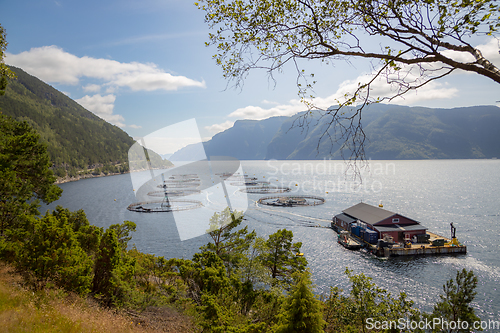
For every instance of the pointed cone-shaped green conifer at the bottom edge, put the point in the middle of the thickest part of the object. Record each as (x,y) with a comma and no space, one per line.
(302,312)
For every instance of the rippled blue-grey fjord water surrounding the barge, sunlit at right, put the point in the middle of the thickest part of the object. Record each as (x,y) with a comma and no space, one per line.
(435,193)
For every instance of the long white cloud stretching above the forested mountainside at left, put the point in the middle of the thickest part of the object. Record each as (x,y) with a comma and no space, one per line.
(53,64)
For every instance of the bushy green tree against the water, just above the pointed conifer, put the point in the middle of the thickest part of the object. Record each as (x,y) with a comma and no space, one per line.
(281,259)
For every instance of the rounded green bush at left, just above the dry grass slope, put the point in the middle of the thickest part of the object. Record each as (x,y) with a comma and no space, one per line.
(47,250)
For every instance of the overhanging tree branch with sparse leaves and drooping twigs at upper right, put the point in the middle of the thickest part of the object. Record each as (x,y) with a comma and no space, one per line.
(420,41)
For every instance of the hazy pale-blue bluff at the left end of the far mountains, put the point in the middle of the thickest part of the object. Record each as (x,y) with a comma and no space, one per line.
(246,140)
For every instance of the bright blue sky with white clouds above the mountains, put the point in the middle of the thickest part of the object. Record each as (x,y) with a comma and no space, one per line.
(143,65)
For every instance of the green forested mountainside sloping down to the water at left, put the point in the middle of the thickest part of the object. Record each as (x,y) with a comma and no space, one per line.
(76,138)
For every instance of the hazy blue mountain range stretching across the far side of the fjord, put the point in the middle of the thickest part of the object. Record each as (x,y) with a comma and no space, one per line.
(392,131)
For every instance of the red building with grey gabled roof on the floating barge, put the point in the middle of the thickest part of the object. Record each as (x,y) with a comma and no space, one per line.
(382,221)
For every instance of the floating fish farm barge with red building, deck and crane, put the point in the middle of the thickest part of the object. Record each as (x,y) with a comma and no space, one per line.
(389,234)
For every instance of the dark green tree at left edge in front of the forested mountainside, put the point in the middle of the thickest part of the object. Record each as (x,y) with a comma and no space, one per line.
(25,177)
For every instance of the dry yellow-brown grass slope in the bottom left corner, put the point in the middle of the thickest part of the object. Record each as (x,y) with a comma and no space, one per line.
(54,311)
